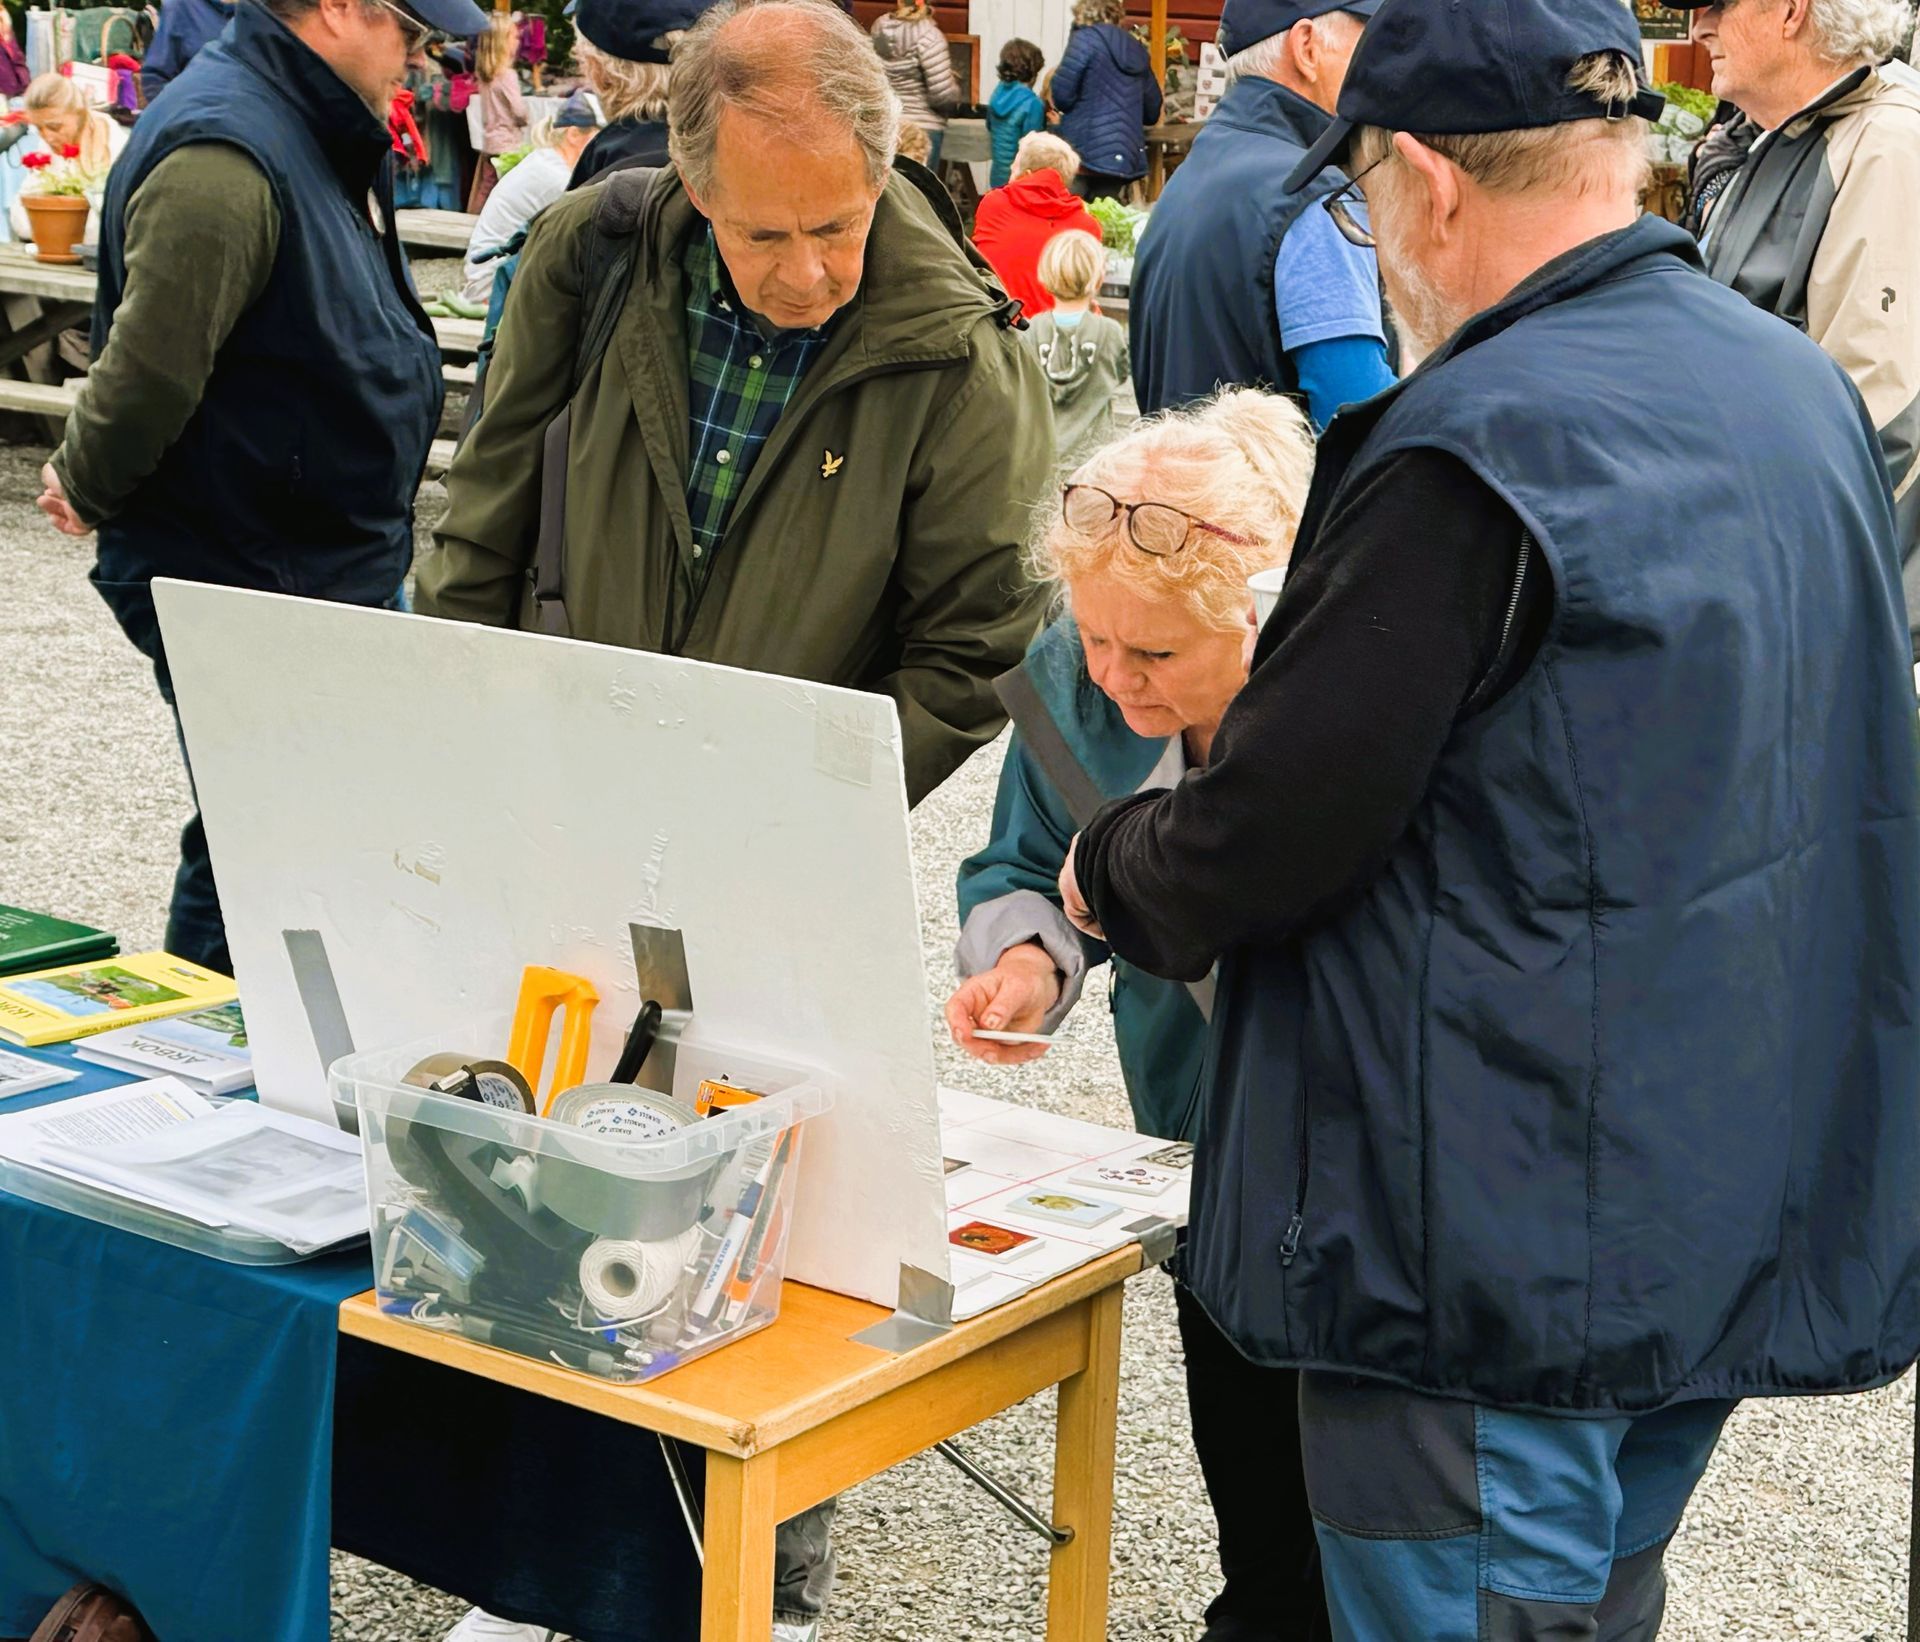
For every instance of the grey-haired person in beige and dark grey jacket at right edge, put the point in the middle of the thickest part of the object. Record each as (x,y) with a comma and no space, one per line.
(1823,224)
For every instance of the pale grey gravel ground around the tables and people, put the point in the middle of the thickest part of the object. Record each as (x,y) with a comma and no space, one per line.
(1798,1532)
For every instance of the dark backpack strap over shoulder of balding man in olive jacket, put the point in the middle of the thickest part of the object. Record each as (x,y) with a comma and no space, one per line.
(606,278)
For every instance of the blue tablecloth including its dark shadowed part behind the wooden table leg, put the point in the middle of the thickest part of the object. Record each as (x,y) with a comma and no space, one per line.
(197,1434)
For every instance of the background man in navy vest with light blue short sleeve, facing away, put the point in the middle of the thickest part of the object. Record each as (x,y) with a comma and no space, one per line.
(1241,281)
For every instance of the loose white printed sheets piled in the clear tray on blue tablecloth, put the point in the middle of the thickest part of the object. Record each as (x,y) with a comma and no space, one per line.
(241,1167)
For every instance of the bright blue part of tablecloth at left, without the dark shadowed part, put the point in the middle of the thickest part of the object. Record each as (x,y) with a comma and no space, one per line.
(166,1424)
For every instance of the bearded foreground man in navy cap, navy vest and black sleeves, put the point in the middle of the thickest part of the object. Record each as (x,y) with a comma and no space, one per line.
(1562,863)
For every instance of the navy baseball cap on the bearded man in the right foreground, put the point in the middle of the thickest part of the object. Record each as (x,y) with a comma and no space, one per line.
(1458,68)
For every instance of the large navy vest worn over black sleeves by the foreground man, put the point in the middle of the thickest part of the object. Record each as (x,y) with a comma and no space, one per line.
(1606,1094)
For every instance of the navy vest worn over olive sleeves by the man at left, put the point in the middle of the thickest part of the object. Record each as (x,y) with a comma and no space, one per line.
(299,470)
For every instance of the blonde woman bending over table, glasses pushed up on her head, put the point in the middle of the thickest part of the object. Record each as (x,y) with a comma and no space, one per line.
(1153,544)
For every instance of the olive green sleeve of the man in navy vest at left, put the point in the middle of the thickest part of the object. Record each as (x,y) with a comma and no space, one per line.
(203,233)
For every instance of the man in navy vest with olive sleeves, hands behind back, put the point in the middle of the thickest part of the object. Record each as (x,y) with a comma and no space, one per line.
(266,385)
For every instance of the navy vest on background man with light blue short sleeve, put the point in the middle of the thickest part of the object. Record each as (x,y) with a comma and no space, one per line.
(1203,285)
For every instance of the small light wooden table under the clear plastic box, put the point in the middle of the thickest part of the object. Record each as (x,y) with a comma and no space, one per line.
(804,1413)
